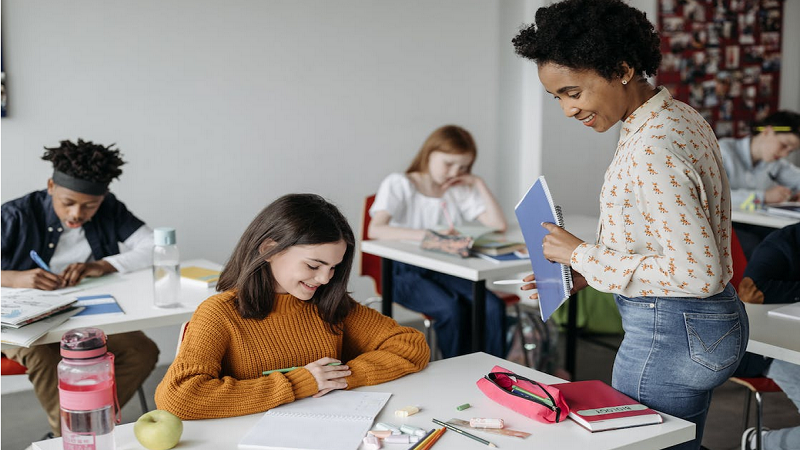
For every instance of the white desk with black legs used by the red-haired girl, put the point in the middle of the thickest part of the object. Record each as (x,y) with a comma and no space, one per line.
(474,269)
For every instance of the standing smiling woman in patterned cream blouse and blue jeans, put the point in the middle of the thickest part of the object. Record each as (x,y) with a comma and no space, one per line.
(664,244)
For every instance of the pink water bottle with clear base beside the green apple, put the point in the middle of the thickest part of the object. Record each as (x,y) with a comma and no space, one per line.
(87,391)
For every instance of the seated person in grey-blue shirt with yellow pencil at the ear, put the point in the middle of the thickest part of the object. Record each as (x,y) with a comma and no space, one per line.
(759,172)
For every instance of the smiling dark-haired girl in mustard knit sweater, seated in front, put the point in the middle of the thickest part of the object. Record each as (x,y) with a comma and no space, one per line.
(283,303)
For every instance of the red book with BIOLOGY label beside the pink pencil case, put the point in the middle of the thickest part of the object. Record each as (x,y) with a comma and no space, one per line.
(597,406)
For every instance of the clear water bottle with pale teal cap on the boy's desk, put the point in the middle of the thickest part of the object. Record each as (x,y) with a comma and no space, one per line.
(166,268)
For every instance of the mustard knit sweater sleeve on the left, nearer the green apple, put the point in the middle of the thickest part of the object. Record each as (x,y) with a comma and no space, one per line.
(195,386)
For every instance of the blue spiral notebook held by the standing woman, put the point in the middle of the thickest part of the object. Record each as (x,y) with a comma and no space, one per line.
(553,280)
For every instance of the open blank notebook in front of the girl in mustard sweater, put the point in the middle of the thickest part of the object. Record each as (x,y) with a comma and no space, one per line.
(335,421)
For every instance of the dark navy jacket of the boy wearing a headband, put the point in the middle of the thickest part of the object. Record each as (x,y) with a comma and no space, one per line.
(31,223)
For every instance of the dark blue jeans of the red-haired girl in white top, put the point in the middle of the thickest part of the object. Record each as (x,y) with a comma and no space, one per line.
(448,301)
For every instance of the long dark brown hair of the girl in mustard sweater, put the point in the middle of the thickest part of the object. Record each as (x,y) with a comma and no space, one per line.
(294,219)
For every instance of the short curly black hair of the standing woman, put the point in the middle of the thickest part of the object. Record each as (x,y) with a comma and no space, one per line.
(597,35)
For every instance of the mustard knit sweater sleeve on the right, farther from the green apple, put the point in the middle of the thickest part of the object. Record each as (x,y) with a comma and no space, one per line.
(378,349)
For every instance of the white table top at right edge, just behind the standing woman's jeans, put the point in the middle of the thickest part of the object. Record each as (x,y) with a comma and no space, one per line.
(775,337)
